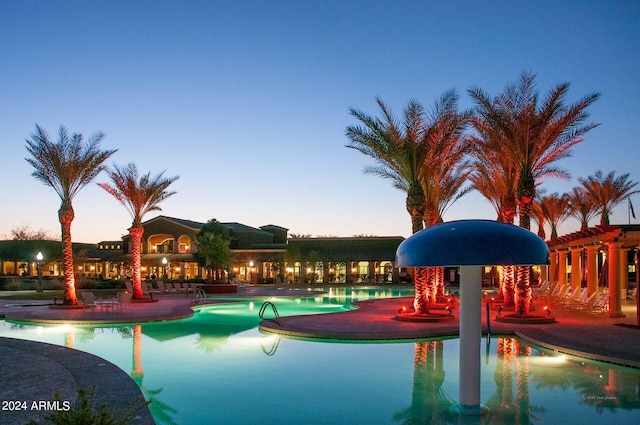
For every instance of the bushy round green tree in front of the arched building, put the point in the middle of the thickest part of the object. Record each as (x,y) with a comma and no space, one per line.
(214,254)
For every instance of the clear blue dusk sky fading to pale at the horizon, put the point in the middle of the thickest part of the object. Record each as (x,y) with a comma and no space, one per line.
(248,101)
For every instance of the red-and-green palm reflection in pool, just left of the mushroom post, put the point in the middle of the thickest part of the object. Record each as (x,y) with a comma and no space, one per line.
(429,402)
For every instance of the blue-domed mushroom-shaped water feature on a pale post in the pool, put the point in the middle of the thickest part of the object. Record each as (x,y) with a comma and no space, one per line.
(471,244)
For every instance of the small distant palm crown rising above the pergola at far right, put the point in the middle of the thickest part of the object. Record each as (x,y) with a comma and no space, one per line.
(606,192)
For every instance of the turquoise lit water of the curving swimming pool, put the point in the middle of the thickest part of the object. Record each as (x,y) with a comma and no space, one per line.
(216,367)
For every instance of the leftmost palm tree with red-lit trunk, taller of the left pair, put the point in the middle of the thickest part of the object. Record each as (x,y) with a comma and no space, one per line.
(67,166)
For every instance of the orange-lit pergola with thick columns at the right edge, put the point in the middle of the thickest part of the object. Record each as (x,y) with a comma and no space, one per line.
(614,241)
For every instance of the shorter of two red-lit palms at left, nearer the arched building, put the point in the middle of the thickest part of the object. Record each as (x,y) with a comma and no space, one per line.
(140,195)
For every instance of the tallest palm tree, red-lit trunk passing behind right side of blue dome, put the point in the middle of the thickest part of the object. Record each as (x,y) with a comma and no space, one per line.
(536,135)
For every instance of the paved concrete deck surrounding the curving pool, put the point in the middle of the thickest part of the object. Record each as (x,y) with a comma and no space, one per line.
(35,371)
